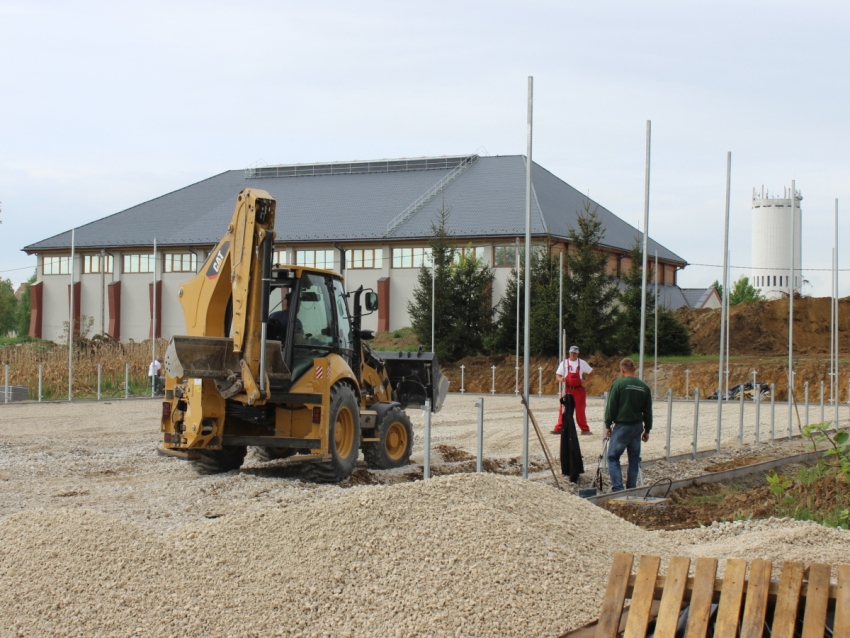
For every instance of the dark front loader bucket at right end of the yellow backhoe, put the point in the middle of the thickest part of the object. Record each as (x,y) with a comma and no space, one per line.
(415,377)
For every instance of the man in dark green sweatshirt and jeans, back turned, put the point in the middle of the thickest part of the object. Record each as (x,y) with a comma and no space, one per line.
(630,410)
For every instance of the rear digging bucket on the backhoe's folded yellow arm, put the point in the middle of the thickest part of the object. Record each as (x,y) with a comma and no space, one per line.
(214,358)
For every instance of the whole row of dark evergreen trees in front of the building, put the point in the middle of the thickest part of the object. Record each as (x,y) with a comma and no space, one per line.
(600,313)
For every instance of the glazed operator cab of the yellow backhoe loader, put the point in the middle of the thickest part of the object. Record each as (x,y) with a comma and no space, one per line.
(309,315)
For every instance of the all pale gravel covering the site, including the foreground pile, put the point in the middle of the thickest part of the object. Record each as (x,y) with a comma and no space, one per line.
(100,536)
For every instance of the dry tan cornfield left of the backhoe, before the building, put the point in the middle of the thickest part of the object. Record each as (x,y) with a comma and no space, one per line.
(24,359)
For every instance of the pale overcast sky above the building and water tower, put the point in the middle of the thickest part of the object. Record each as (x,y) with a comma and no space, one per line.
(106,105)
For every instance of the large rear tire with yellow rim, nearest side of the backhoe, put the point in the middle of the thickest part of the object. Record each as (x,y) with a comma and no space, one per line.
(343,438)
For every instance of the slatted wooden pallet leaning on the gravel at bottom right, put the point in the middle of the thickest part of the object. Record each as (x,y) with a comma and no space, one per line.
(743,599)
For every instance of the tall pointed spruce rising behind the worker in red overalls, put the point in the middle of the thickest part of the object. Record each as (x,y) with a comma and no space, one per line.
(590,291)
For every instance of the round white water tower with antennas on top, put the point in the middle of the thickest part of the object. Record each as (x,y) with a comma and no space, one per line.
(772,243)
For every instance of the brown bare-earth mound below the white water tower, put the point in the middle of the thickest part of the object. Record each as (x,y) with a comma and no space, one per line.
(762,328)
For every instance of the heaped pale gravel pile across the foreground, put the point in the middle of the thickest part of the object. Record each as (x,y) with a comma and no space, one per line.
(463,555)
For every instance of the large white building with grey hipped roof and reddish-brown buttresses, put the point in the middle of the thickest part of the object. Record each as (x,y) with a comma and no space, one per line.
(378,214)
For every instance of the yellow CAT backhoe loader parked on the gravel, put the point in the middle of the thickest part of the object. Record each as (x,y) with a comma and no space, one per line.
(275,357)
